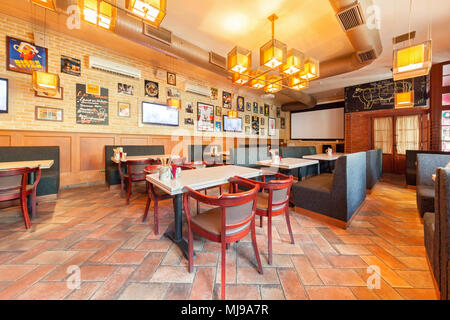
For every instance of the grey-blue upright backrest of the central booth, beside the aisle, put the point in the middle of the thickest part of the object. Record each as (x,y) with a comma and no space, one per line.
(349,183)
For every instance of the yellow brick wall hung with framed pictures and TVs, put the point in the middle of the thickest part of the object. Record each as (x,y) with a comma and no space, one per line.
(22,100)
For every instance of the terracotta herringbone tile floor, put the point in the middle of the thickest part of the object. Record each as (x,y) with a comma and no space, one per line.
(121,258)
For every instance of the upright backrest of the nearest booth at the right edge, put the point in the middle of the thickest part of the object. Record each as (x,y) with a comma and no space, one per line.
(441,247)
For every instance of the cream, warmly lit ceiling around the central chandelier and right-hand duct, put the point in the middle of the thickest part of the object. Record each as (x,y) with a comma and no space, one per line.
(310,26)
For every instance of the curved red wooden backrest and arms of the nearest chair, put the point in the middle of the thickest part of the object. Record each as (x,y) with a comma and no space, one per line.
(237,208)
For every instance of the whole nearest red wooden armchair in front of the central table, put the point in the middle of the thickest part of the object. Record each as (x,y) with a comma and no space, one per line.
(231,220)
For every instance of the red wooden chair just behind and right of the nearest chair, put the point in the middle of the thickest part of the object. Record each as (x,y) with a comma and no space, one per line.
(274,202)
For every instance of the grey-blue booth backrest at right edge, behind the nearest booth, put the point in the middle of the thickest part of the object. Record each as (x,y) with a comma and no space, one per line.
(426,167)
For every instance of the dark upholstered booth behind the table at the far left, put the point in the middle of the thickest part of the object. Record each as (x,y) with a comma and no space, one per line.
(49,183)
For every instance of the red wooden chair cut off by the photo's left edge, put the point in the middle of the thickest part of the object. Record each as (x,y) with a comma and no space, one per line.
(13,185)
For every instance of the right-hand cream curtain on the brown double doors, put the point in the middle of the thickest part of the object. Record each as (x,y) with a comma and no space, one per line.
(407,131)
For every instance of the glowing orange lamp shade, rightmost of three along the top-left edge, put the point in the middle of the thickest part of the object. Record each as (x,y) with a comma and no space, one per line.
(152,11)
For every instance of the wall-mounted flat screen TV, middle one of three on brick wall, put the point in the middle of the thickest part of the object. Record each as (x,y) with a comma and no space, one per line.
(153,113)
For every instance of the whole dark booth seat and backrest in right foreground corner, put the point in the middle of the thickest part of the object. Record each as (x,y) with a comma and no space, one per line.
(436,233)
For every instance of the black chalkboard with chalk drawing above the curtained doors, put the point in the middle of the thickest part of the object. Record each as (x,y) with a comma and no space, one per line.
(381,94)
